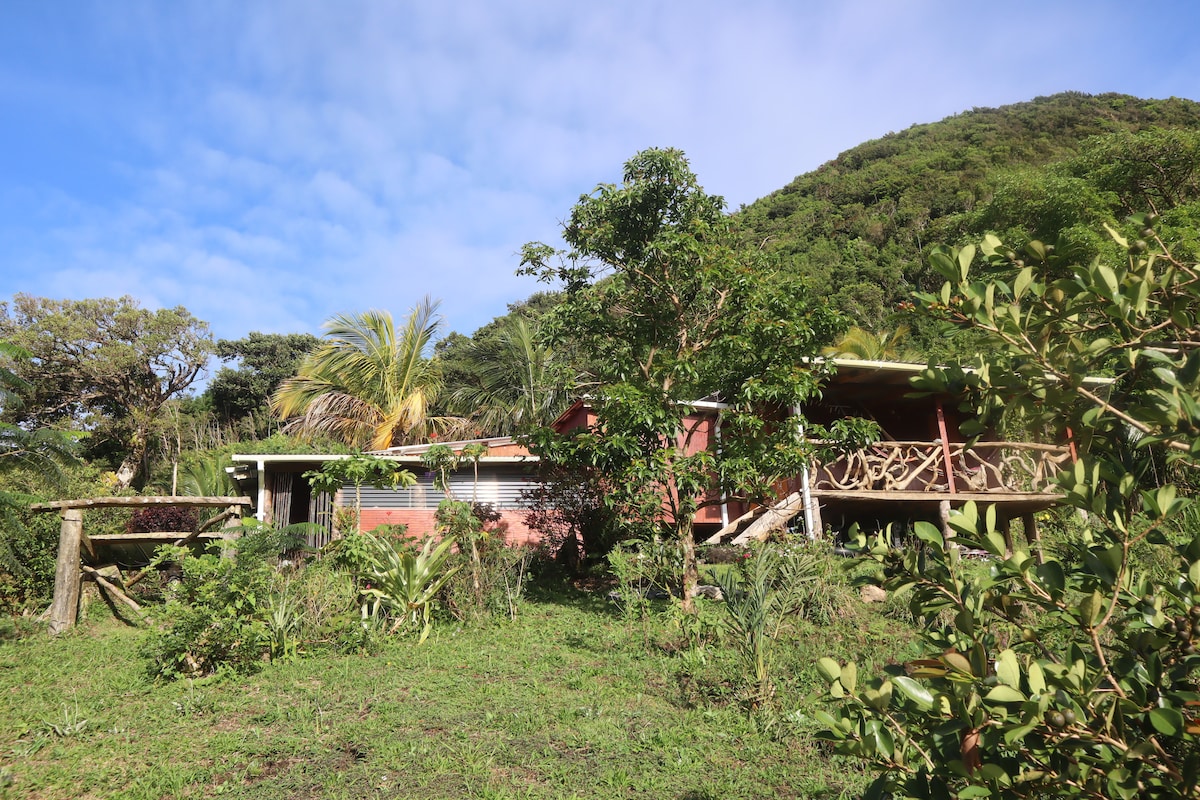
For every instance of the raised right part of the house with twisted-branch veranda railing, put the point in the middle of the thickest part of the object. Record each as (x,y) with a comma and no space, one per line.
(920,470)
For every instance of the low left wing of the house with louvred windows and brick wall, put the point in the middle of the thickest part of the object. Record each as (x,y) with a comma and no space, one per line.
(284,497)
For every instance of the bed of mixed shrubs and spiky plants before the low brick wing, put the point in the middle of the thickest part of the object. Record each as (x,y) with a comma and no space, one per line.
(236,610)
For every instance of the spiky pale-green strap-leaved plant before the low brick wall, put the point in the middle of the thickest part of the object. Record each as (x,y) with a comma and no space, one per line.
(405,585)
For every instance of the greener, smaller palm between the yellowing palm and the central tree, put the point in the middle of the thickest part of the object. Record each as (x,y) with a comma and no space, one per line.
(518,386)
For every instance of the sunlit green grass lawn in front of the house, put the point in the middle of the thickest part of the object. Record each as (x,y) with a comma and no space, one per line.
(568,701)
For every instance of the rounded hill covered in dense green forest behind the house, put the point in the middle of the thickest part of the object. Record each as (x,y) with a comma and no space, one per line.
(860,226)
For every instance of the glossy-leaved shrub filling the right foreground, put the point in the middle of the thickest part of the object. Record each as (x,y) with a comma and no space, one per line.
(1073,676)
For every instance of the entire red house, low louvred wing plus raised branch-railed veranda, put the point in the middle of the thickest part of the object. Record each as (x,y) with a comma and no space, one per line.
(921,468)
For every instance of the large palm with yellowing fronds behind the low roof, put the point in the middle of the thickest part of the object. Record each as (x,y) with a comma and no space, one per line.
(368,384)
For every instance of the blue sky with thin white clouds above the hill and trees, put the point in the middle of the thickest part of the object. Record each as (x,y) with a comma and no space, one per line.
(272,164)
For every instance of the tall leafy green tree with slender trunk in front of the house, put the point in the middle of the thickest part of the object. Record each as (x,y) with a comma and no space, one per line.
(668,308)
